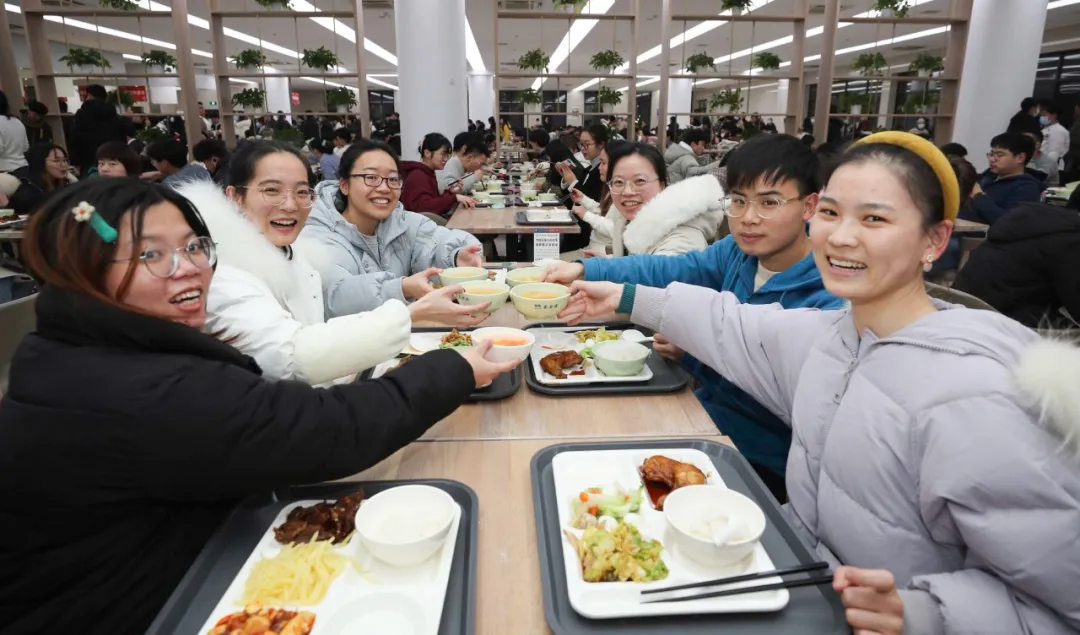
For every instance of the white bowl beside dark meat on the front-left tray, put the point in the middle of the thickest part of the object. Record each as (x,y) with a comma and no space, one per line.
(406,525)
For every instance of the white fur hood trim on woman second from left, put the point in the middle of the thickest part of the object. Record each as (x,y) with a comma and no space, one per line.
(239,242)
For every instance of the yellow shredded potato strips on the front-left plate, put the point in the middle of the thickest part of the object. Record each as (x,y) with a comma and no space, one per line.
(300,576)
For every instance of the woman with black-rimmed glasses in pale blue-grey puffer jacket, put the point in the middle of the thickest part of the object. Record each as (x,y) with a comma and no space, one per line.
(368,249)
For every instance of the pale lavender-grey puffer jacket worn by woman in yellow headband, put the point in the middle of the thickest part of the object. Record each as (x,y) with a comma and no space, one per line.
(946,453)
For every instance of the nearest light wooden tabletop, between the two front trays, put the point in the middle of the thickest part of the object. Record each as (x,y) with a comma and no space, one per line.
(509,595)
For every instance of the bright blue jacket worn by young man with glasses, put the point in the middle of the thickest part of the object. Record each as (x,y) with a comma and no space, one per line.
(759,435)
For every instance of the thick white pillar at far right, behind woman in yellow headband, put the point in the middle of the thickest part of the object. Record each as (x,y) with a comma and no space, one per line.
(997,77)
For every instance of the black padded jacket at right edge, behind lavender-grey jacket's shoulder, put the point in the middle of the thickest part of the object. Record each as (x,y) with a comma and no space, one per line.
(1029,268)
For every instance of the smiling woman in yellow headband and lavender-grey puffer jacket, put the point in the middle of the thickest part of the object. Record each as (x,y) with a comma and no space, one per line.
(935,448)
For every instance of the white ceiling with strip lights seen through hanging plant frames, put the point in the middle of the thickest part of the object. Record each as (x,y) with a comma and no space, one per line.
(517,37)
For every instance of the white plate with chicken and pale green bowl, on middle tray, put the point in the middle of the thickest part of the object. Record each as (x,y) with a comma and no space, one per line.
(569,357)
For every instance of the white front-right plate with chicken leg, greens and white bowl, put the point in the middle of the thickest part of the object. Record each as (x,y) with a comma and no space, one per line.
(618,541)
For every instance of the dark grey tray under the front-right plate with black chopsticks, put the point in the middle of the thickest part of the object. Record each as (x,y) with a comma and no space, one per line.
(812,611)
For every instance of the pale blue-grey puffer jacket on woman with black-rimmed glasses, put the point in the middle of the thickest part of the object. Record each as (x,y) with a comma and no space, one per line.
(357,279)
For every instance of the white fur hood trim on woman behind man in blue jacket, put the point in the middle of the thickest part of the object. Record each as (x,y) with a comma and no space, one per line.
(694,205)
